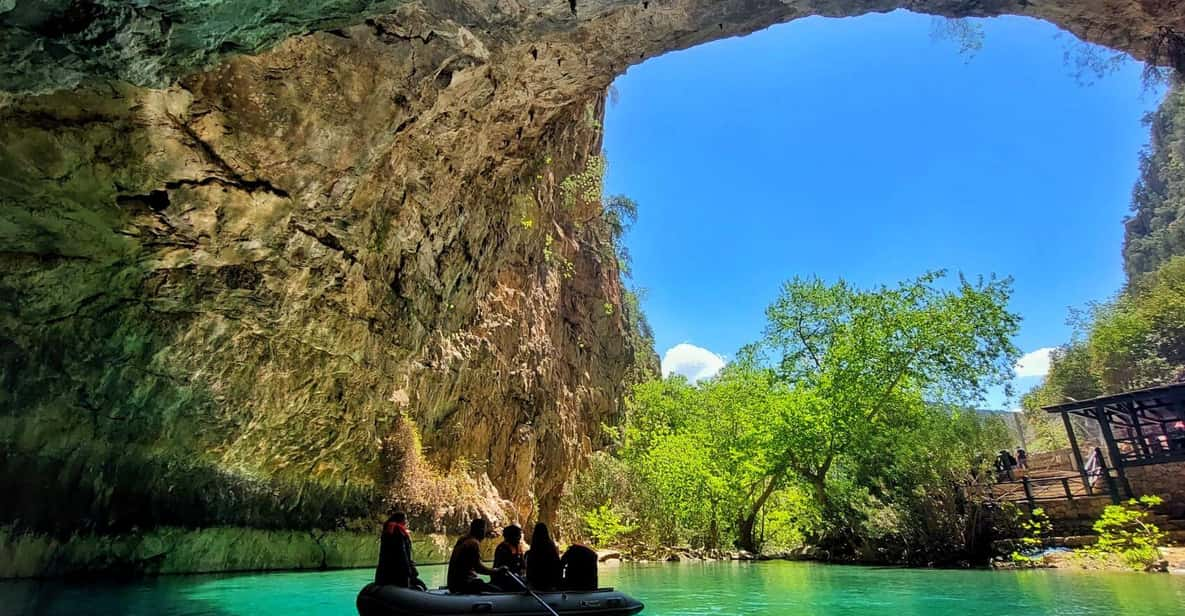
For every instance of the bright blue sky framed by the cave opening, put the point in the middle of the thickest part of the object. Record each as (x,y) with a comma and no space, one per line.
(868,149)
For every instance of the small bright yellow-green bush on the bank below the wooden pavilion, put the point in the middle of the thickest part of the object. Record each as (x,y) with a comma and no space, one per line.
(1129,532)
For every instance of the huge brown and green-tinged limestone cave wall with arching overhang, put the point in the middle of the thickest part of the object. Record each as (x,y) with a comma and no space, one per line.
(278,265)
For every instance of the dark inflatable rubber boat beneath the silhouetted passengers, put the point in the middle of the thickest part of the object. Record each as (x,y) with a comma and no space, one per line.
(395,601)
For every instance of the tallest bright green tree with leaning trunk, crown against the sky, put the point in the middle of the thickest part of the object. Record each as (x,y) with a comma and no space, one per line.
(849,365)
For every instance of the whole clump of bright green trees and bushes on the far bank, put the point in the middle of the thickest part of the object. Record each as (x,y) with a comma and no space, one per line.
(844,419)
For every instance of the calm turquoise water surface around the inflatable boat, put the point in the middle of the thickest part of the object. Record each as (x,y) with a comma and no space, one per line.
(683,589)
